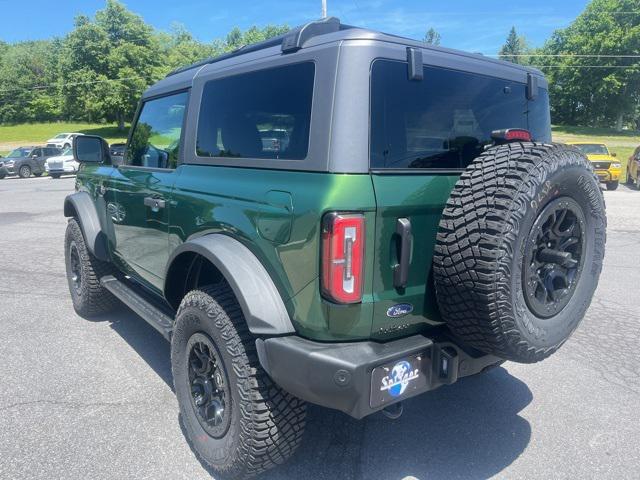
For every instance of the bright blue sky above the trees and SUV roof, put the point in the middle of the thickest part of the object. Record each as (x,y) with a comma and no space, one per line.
(472,25)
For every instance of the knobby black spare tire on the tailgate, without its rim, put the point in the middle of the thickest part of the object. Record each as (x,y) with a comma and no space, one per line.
(480,248)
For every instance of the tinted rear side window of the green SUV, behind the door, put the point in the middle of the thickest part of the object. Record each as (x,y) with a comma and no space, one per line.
(263,114)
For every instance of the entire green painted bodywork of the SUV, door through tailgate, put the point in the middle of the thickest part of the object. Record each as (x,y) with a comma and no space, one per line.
(277,215)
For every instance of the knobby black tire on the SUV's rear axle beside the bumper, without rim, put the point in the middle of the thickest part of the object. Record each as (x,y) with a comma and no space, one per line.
(266,423)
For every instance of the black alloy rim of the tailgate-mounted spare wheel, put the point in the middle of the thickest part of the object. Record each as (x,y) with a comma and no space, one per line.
(554,257)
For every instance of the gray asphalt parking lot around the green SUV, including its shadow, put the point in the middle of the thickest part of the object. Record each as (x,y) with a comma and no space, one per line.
(93,399)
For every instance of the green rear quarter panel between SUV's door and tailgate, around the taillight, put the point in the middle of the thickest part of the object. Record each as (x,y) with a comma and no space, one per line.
(276,214)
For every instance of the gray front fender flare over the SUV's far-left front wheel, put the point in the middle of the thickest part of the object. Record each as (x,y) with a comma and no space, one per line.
(80,204)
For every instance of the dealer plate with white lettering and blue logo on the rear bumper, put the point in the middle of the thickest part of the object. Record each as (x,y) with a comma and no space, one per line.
(398,379)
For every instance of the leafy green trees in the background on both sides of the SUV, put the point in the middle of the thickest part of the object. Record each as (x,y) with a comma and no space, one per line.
(97,72)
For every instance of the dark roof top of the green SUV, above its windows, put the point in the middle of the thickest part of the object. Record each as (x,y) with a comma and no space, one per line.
(314,33)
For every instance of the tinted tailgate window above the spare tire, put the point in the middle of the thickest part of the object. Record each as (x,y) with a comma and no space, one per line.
(445,120)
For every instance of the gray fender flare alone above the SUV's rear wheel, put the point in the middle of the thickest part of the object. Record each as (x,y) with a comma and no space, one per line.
(260,300)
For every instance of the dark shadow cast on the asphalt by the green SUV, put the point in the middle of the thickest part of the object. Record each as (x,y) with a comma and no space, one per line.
(471,429)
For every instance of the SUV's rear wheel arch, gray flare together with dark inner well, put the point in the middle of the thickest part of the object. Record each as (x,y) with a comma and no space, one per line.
(217,256)
